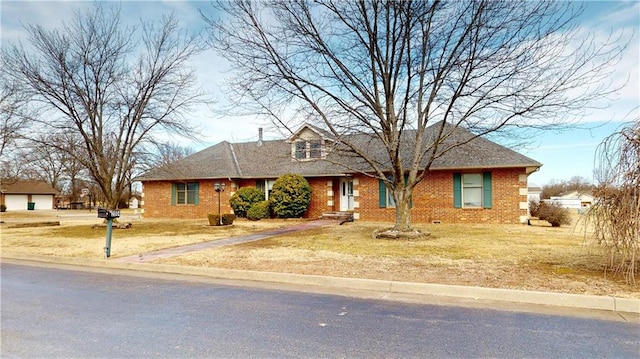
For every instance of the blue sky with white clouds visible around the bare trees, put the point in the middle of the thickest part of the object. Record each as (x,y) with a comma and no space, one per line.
(565,154)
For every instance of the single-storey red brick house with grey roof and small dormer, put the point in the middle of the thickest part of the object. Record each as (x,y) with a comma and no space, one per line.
(480,181)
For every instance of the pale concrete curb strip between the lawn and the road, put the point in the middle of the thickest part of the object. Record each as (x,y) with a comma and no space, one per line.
(606,303)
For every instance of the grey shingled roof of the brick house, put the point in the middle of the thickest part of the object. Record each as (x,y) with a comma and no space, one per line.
(270,159)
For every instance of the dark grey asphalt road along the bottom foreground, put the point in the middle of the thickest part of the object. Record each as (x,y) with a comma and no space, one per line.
(53,313)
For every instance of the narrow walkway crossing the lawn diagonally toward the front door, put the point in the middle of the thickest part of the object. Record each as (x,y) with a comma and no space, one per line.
(176,251)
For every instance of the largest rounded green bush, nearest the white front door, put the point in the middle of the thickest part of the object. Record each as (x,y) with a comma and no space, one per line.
(290,196)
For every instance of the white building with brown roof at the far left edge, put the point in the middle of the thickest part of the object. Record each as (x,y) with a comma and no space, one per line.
(26,195)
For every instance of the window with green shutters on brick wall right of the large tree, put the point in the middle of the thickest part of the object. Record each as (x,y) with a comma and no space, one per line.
(472,190)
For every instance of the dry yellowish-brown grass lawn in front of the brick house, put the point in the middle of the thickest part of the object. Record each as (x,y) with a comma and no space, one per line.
(503,256)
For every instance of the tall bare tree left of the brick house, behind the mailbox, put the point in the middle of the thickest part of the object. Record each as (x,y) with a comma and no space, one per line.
(115,86)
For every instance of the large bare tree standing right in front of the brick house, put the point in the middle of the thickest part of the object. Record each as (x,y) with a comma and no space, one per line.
(391,69)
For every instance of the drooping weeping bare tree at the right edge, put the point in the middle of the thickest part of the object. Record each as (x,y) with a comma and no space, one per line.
(616,212)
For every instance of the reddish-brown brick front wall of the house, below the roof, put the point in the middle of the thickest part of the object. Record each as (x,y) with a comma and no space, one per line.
(432,199)
